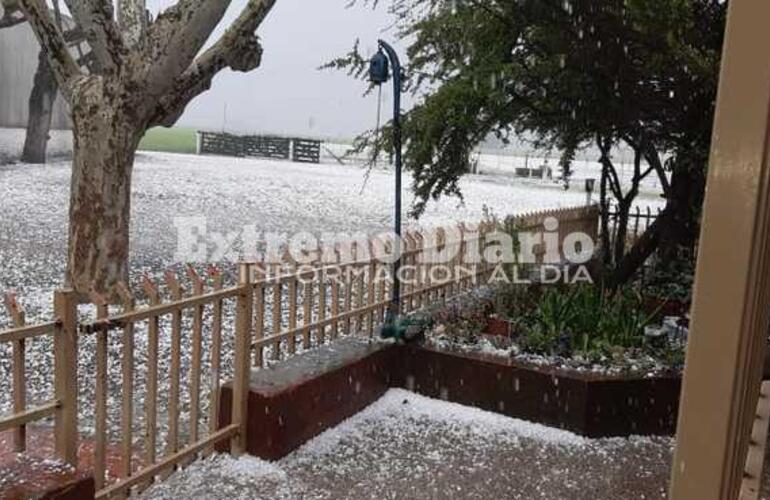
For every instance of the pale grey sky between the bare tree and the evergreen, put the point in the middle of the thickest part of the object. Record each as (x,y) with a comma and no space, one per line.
(288,94)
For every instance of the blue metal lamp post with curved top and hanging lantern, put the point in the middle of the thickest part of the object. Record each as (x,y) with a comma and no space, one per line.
(378,74)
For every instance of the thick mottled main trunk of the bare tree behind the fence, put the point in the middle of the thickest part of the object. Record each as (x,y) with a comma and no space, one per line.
(105,139)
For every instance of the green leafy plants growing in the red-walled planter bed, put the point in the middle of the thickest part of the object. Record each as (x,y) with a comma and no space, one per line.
(580,322)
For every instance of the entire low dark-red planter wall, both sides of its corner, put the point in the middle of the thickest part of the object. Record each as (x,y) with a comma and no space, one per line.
(288,405)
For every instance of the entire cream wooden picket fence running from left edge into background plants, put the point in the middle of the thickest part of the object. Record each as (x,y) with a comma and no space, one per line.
(279,309)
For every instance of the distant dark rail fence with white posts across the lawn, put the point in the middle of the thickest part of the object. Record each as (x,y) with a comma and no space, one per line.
(259,146)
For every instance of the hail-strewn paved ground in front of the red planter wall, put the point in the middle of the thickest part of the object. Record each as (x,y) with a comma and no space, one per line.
(406,446)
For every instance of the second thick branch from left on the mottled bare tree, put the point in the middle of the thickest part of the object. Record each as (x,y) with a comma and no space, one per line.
(96,19)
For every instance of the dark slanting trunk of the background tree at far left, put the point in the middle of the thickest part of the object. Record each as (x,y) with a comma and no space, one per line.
(41,102)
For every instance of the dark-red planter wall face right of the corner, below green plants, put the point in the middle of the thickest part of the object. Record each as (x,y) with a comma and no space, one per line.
(587,404)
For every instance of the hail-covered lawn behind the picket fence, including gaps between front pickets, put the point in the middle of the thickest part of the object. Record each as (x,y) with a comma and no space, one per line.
(228,194)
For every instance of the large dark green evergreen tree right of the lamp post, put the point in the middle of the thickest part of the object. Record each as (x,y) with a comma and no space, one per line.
(638,74)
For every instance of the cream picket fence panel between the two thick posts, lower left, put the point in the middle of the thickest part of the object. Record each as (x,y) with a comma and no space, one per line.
(176,450)
